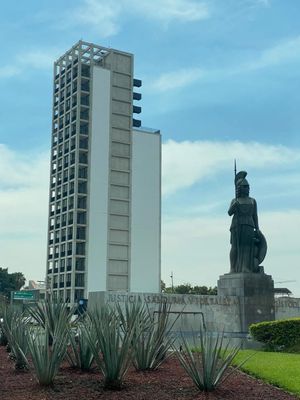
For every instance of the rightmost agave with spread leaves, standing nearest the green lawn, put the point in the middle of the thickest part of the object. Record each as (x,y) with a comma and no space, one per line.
(209,365)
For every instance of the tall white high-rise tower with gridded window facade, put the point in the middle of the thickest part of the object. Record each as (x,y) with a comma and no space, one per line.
(104,202)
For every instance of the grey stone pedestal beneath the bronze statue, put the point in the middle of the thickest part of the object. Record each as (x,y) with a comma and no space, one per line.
(255,292)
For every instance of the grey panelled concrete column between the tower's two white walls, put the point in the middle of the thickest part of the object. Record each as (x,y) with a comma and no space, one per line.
(119,202)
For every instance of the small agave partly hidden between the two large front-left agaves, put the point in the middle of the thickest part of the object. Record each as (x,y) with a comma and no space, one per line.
(80,354)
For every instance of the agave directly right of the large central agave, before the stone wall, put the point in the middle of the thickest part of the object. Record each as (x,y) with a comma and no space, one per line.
(153,339)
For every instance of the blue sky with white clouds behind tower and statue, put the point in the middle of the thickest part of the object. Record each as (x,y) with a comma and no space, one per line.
(221,81)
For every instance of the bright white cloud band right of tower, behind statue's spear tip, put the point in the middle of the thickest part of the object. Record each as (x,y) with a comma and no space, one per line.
(186,163)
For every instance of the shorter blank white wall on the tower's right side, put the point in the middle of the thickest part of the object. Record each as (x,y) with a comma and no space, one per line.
(145,212)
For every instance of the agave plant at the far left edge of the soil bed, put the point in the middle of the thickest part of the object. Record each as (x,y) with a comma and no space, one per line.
(14,328)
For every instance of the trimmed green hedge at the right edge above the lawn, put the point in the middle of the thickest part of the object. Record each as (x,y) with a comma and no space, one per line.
(281,334)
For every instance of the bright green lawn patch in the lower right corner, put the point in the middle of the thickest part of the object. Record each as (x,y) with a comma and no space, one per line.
(279,369)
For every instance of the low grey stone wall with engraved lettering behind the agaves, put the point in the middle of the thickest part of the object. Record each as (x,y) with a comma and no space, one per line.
(219,313)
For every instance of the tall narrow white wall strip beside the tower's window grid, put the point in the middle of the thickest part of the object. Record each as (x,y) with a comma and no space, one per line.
(98,181)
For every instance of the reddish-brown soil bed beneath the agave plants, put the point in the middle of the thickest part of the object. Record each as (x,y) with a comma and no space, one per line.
(169,382)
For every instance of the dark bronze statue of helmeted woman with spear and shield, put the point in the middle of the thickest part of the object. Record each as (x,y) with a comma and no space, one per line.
(248,244)
